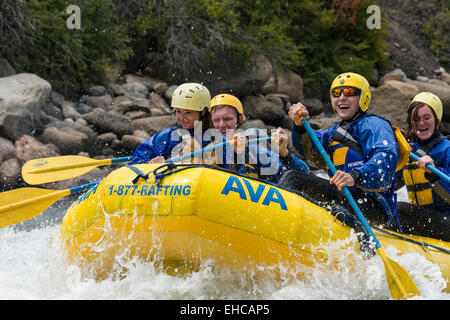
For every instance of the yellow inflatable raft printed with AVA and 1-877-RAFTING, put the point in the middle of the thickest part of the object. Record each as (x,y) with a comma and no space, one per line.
(188,213)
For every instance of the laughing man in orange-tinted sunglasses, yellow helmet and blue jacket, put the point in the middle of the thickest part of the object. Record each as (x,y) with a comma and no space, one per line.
(363,149)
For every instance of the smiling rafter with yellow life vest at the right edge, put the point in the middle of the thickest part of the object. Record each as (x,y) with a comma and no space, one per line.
(428,212)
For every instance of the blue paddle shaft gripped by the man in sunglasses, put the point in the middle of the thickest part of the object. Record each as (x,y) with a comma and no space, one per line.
(346,191)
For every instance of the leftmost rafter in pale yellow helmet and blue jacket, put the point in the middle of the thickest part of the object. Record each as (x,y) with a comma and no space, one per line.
(192,104)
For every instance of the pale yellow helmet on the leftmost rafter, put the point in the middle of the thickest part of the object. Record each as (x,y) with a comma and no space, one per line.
(191,96)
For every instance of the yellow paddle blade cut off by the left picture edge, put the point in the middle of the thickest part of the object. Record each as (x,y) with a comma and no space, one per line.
(26,203)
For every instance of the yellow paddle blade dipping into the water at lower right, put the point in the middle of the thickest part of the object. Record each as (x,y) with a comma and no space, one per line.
(399,281)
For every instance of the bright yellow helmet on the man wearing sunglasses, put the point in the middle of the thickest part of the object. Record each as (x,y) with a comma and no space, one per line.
(350,79)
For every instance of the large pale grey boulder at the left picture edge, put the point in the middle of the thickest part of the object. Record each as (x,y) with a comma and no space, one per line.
(22,97)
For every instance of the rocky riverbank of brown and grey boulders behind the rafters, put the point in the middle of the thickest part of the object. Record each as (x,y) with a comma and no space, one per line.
(112,119)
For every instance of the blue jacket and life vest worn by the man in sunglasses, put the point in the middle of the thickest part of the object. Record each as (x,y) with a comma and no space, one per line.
(367,145)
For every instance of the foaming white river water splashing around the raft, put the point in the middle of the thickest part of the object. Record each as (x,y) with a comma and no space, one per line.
(32,267)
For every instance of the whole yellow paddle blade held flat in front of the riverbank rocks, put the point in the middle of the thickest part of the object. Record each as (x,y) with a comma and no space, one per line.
(44,170)
